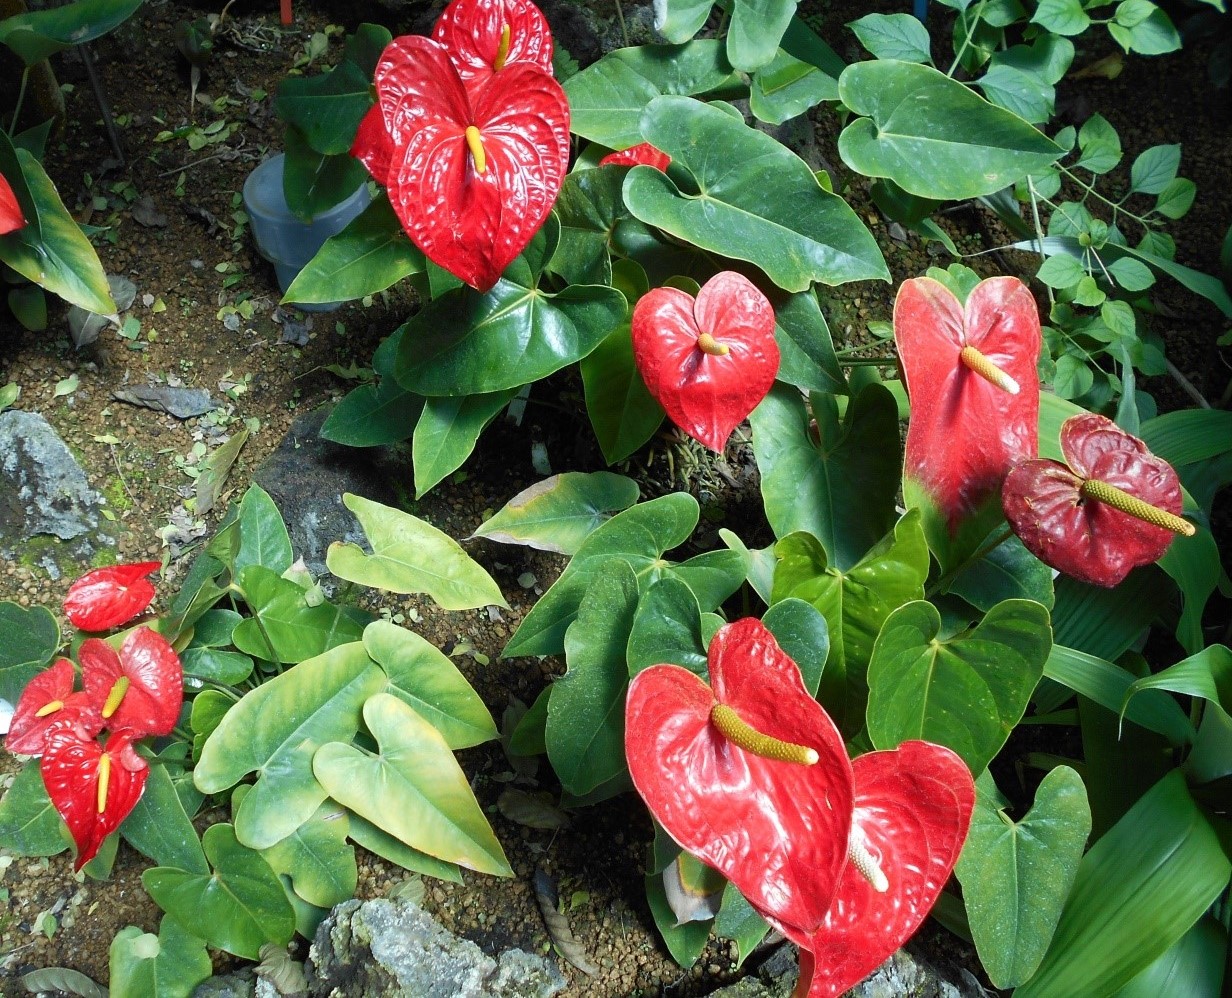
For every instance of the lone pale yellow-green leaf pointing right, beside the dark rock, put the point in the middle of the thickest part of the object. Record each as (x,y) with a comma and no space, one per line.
(411,556)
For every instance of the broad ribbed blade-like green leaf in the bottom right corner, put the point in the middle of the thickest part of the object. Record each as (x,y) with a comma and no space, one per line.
(1139,891)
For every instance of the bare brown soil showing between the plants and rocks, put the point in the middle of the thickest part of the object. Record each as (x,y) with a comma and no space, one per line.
(200,264)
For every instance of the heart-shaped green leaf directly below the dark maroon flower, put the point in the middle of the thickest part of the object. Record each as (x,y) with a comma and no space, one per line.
(967,693)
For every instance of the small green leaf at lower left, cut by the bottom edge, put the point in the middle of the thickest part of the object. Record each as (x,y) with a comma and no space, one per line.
(168,965)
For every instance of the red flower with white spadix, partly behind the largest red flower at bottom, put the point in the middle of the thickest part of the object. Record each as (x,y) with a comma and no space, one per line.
(912,814)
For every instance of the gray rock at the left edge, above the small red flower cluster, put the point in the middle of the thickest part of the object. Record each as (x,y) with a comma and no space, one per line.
(45,495)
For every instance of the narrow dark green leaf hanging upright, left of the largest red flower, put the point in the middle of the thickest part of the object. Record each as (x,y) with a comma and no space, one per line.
(586,714)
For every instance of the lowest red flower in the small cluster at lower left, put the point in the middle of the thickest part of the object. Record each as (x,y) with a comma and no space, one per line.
(93,788)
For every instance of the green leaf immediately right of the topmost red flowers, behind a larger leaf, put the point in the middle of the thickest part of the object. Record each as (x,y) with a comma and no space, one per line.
(607,99)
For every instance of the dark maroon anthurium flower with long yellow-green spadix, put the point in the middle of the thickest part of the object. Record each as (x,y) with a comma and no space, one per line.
(1116,507)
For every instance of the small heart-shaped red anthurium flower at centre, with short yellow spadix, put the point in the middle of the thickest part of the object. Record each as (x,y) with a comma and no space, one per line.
(708,362)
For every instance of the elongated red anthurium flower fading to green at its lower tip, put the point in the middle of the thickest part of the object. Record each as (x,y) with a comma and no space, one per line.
(973,381)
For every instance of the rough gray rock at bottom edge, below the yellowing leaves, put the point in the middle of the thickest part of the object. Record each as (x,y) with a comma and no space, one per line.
(385,948)
